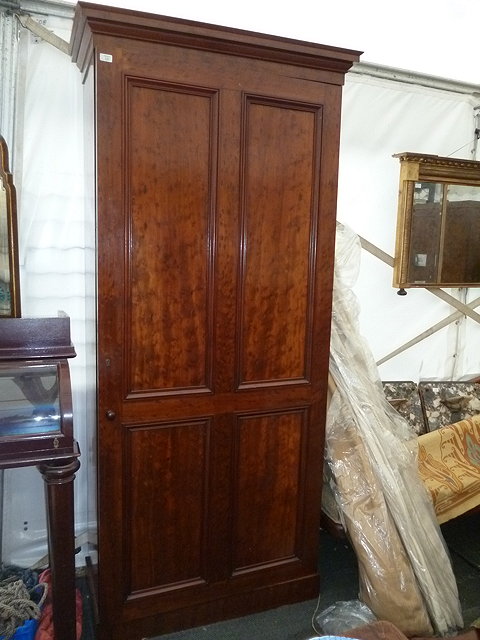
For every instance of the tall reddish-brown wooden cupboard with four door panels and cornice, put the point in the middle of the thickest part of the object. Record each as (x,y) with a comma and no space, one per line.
(216,171)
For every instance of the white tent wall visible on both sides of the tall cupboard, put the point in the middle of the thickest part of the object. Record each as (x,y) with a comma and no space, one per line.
(381,116)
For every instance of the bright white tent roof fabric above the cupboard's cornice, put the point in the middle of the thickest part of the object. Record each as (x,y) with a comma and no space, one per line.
(437,37)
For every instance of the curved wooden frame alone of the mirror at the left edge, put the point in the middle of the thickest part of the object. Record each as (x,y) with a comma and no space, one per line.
(12,231)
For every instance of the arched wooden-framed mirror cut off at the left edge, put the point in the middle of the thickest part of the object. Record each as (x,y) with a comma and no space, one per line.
(9,269)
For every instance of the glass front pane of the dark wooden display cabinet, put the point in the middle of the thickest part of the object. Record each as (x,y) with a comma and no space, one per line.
(29,400)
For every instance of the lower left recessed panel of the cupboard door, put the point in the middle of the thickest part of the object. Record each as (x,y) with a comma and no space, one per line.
(165,504)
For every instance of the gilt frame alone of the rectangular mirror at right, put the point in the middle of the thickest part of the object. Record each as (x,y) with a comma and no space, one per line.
(415,167)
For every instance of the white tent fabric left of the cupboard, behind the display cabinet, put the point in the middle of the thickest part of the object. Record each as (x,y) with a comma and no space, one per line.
(48,174)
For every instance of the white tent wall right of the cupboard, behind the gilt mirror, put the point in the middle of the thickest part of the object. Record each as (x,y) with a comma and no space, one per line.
(381,117)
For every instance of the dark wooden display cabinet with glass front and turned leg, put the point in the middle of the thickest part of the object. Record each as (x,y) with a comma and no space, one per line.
(36,429)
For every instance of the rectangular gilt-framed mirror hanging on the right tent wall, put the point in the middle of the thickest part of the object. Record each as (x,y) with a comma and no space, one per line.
(438,222)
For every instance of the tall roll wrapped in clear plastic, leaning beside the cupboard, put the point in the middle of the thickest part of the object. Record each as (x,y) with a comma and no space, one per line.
(405,571)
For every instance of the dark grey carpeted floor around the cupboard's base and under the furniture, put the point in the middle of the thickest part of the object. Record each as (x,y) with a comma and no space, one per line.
(339,582)
